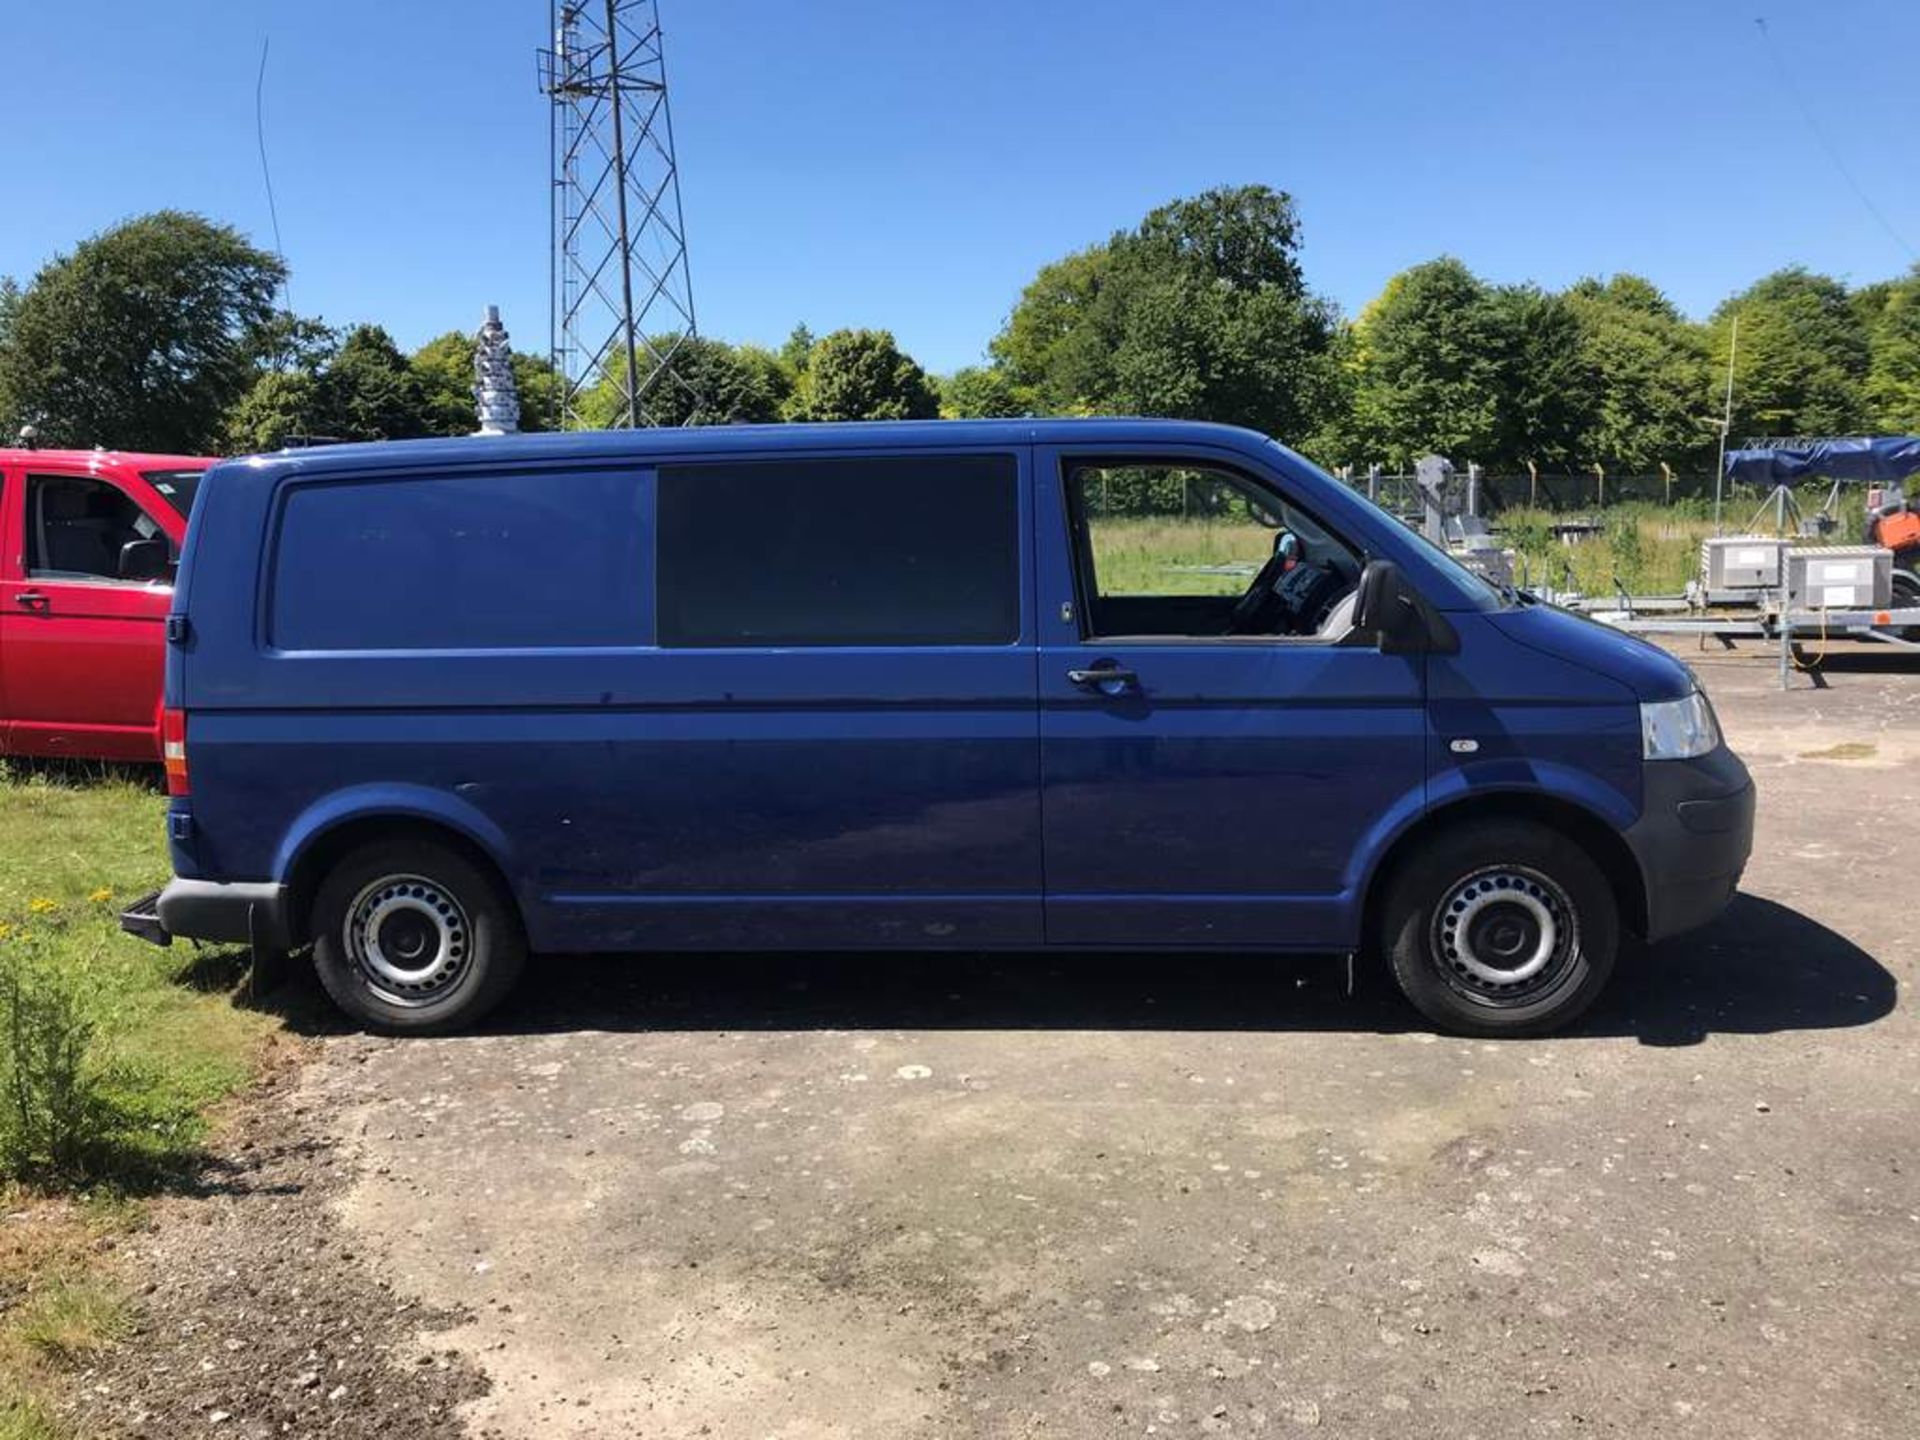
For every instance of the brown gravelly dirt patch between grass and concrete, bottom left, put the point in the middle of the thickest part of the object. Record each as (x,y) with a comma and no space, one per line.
(256,1318)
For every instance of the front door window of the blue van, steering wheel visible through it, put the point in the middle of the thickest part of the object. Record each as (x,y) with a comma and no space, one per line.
(1201,552)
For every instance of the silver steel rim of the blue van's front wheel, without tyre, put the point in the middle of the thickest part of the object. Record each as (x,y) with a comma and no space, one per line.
(1506,936)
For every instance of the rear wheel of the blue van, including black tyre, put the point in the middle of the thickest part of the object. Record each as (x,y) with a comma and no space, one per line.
(412,938)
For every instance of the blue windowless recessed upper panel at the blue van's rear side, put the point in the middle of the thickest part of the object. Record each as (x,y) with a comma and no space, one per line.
(471,562)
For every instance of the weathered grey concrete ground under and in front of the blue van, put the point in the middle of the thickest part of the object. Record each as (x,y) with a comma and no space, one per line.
(1032,1197)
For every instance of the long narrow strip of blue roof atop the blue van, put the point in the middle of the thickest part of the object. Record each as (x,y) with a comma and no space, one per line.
(750,439)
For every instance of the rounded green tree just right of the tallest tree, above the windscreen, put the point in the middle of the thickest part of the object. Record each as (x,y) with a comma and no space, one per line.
(1431,360)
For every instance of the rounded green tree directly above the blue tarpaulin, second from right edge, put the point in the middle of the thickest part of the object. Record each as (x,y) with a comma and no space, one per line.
(1804,356)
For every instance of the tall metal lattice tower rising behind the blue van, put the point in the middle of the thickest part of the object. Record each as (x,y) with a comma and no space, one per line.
(623,302)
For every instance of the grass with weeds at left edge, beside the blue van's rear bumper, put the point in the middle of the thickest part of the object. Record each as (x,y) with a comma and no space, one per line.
(112,1053)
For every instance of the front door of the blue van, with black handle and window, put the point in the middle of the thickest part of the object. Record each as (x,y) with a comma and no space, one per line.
(1214,759)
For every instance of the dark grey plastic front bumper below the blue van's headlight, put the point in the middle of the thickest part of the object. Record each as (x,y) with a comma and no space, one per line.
(1692,838)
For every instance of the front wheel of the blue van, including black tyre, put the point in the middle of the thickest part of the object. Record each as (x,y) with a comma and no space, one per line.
(1502,928)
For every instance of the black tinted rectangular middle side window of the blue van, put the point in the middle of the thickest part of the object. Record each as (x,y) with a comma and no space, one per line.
(840,552)
